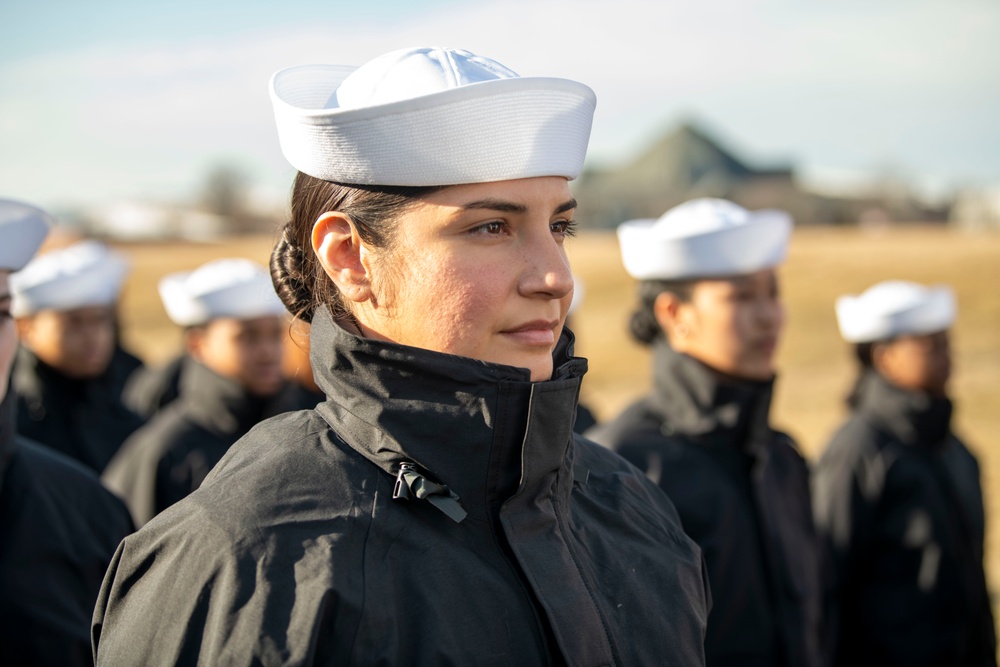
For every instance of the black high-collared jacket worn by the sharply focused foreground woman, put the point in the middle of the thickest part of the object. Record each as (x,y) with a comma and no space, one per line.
(294,551)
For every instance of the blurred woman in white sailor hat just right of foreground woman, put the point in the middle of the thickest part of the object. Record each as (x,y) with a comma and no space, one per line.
(710,309)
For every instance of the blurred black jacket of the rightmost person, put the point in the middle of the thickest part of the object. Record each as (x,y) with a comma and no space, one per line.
(897,495)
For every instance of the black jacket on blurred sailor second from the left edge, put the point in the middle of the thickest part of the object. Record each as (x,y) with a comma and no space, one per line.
(83,419)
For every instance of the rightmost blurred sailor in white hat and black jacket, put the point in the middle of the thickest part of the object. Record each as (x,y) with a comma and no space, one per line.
(898,495)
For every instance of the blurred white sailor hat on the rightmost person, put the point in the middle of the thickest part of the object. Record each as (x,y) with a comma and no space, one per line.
(895,308)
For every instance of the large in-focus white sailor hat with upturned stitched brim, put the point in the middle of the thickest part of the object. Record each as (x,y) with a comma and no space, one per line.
(430,116)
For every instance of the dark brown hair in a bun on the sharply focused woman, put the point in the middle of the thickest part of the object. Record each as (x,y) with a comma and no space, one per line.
(298,276)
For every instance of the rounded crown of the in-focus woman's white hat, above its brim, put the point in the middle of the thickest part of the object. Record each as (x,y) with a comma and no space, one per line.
(409,73)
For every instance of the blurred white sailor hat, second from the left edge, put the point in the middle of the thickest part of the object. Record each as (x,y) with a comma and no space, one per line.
(84,274)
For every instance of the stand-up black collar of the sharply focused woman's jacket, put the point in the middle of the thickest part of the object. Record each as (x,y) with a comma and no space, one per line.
(484,430)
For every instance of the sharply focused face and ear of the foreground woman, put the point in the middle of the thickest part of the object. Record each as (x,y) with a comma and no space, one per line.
(476,270)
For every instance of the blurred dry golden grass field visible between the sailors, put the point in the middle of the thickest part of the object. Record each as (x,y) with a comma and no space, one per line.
(816,367)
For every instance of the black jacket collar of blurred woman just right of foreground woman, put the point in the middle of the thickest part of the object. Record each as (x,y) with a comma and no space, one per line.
(699,402)
